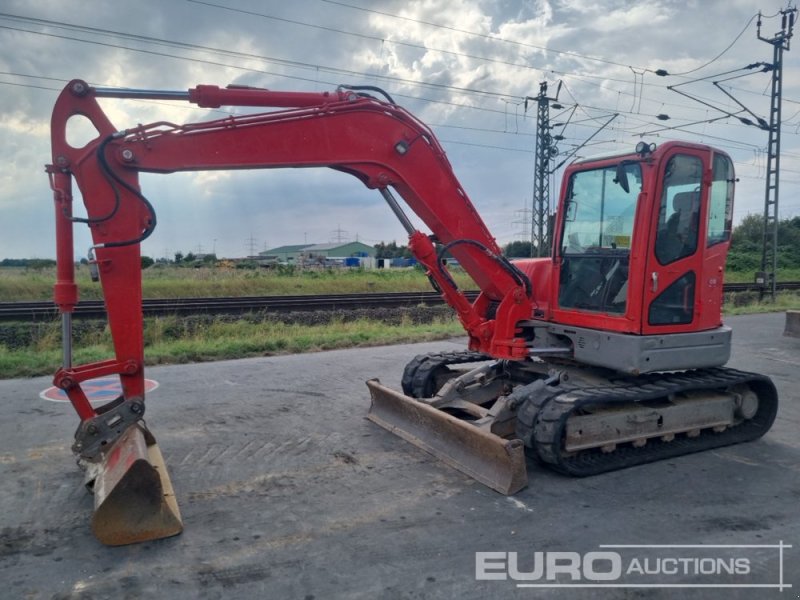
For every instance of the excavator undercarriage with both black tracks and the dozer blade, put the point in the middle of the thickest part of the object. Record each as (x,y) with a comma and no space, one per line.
(574,419)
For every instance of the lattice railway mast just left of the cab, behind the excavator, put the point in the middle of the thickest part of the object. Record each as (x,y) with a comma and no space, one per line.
(544,152)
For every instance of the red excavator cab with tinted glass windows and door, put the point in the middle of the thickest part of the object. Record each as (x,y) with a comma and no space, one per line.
(641,240)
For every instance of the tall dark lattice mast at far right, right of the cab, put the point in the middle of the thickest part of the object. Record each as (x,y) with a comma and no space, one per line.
(769,250)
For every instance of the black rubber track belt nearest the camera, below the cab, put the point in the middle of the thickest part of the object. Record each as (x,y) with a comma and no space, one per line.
(542,419)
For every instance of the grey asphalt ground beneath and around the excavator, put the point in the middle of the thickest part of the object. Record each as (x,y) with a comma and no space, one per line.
(287,492)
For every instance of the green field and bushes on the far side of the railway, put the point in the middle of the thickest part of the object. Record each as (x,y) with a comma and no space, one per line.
(187,277)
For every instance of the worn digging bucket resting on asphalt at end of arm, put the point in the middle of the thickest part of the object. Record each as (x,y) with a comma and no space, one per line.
(133,496)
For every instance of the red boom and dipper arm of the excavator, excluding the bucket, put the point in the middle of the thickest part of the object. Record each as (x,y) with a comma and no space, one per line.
(378,142)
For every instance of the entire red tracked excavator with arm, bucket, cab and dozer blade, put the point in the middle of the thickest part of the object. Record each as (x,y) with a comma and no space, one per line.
(606,354)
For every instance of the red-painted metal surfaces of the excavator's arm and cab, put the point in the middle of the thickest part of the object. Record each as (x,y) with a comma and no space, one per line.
(356,135)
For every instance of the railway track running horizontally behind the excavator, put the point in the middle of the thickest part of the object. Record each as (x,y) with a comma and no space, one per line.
(95,309)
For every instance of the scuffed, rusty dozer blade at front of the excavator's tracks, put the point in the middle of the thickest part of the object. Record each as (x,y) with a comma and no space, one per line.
(494,461)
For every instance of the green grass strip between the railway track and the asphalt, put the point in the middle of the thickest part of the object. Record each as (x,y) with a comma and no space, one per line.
(34,349)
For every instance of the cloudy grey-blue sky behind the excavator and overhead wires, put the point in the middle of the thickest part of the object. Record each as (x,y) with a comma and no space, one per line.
(464,67)
